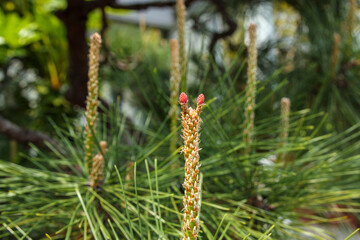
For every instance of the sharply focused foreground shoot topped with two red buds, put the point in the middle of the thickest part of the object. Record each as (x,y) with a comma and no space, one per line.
(191,125)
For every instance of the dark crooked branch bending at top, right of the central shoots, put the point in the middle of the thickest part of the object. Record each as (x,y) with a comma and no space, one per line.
(232,26)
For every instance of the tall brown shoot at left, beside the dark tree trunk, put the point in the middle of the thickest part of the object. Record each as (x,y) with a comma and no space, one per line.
(92,99)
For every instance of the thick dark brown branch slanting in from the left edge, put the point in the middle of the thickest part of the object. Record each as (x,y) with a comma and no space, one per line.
(23,135)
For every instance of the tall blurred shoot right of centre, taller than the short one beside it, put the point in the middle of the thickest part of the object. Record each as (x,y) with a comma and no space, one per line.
(250,91)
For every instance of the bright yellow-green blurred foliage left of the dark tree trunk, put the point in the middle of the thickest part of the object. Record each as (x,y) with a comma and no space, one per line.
(33,63)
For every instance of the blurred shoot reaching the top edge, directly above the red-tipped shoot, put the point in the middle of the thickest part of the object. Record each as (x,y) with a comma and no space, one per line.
(181,17)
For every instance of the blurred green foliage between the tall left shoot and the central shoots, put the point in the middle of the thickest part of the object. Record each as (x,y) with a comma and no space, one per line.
(142,66)
